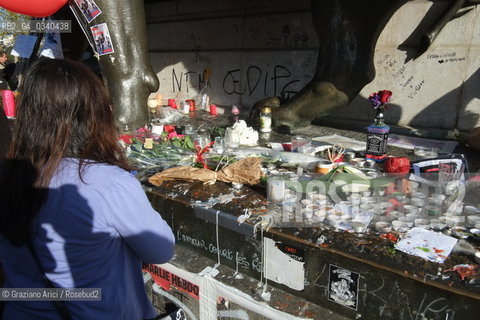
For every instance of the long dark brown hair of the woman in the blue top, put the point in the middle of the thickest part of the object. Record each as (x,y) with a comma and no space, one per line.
(63,111)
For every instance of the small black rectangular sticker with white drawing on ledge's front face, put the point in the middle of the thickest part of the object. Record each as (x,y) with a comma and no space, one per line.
(343,287)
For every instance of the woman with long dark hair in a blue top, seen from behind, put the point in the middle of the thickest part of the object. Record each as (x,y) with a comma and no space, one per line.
(65,191)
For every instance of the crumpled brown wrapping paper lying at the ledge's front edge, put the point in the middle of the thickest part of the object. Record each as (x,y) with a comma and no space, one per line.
(245,171)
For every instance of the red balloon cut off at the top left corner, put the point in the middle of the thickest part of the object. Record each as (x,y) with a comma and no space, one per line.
(33,8)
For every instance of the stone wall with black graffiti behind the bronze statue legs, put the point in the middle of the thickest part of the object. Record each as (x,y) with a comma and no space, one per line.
(257,49)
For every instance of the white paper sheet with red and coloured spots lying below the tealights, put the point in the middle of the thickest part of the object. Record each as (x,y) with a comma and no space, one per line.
(432,246)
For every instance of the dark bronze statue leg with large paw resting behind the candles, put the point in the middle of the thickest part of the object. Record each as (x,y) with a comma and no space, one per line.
(347,32)
